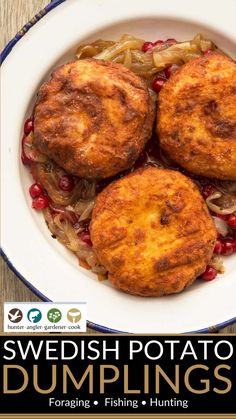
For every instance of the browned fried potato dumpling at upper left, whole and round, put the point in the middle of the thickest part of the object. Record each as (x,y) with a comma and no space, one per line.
(93,118)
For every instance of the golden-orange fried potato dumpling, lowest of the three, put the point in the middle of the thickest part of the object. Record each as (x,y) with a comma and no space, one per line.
(152,231)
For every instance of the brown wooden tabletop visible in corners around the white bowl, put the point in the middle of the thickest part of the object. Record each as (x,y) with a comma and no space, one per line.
(14,14)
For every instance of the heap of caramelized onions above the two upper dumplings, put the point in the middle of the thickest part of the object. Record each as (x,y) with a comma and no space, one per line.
(128,51)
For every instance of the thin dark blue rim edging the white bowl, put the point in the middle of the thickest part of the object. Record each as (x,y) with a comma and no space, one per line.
(97,327)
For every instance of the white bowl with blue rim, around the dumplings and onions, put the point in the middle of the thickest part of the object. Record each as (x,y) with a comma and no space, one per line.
(45,265)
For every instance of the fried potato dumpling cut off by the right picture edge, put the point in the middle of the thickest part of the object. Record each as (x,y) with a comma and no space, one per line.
(197,116)
